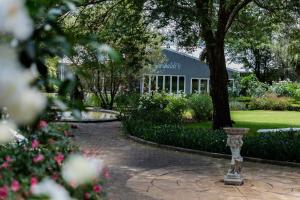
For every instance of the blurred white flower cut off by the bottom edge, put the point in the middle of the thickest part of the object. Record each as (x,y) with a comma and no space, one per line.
(51,189)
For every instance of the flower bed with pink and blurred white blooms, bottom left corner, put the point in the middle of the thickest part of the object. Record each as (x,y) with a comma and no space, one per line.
(41,167)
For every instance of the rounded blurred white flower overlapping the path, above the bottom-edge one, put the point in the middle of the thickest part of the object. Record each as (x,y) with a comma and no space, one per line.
(78,170)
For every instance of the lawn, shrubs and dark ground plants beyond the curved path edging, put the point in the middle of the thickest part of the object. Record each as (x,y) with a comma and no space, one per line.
(185,120)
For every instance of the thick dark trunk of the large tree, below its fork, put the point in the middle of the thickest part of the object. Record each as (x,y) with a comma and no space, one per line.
(219,88)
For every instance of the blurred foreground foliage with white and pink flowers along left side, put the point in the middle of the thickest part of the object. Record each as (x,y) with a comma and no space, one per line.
(38,166)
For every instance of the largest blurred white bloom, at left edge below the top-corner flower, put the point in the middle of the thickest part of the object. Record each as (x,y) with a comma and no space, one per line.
(23,103)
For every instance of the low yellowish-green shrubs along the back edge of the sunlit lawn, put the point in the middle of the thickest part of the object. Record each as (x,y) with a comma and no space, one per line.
(270,102)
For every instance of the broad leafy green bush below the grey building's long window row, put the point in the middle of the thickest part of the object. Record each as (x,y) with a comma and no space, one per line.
(157,108)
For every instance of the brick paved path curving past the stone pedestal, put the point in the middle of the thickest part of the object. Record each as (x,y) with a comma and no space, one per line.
(142,172)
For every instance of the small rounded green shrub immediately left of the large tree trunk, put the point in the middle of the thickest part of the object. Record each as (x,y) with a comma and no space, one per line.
(201,106)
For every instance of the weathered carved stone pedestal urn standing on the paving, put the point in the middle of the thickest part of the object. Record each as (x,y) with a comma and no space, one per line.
(235,142)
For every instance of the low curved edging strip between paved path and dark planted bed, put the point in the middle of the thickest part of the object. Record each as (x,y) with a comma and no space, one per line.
(210,154)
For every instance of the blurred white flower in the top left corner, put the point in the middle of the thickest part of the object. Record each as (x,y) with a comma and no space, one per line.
(14,19)
